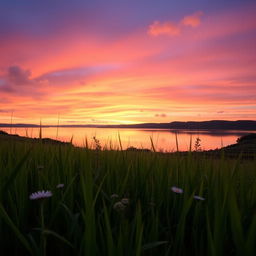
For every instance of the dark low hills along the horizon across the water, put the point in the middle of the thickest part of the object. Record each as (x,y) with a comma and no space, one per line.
(191,125)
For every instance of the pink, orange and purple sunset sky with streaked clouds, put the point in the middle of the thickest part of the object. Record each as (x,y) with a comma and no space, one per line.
(134,61)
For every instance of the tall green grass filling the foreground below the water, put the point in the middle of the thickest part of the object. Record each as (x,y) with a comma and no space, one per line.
(124,203)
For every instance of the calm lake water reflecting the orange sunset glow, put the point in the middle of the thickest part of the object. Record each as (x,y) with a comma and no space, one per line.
(164,140)
